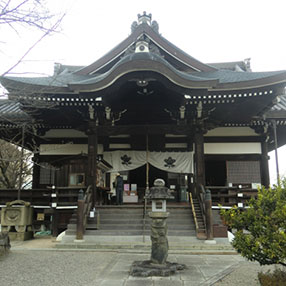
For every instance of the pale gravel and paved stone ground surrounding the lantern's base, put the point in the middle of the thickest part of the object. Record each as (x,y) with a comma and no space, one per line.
(39,263)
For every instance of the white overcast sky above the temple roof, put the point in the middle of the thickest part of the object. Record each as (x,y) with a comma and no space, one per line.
(209,30)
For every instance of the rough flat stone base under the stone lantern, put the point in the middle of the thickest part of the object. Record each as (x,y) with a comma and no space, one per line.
(147,268)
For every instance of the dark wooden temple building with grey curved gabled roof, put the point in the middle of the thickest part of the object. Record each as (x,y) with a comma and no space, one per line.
(148,110)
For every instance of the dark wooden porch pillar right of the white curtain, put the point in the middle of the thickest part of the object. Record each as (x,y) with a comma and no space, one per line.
(199,158)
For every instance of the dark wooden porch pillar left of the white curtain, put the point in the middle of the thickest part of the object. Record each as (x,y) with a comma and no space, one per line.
(92,164)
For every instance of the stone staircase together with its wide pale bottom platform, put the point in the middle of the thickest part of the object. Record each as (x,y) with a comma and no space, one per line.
(122,228)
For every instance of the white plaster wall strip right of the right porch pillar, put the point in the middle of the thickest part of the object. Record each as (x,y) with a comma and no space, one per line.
(233,148)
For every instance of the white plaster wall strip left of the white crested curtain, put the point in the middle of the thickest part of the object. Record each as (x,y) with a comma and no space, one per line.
(66,149)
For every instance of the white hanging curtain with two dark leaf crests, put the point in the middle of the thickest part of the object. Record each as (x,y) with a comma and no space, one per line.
(175,162)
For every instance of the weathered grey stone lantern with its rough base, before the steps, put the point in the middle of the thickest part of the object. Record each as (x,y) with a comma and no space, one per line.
(158,264)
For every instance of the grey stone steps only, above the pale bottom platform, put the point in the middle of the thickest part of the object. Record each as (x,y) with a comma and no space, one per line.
(127,220)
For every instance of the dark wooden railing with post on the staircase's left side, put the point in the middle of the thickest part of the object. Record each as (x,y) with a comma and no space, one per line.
(84,206)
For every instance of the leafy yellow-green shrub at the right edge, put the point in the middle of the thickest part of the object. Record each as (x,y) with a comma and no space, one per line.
(261,228)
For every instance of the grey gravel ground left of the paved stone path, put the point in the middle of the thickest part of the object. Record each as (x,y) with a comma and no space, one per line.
(29,268)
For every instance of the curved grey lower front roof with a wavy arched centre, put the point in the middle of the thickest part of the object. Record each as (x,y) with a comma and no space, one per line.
(67,79)
